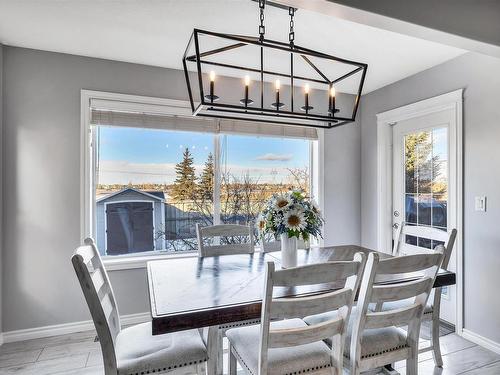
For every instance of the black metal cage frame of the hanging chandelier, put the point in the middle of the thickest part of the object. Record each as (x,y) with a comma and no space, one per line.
(259,113)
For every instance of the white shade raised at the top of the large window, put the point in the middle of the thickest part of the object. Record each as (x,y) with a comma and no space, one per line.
(178,117)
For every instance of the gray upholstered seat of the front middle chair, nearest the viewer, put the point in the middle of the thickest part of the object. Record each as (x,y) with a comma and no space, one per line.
(292,360)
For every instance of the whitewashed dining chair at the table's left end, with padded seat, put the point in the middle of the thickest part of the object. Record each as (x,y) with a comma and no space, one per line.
(133,350)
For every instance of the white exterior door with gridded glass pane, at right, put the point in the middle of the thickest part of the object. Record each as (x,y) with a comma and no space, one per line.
(424,190)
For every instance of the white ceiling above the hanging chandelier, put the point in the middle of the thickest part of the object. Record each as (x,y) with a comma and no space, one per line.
(156,32)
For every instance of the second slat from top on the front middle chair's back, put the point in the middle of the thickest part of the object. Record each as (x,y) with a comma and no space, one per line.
(287,308)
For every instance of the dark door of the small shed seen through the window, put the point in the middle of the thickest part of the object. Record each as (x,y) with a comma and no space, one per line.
(130,227)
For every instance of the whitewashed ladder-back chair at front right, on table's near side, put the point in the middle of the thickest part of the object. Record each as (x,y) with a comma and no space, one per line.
(374,338)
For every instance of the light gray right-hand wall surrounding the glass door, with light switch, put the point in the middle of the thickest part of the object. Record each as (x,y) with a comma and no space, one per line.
(478,74)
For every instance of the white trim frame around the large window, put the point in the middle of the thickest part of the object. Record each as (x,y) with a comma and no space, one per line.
(152,105)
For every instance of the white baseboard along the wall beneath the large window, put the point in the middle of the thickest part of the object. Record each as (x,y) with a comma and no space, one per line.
(65,328)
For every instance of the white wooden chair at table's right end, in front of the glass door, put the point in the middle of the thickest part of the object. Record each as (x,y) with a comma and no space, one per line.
(432,309)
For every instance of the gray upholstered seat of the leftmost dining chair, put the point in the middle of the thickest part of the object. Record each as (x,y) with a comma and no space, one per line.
(139,352)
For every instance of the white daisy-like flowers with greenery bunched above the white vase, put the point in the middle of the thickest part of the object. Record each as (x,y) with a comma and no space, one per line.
(291,213)
